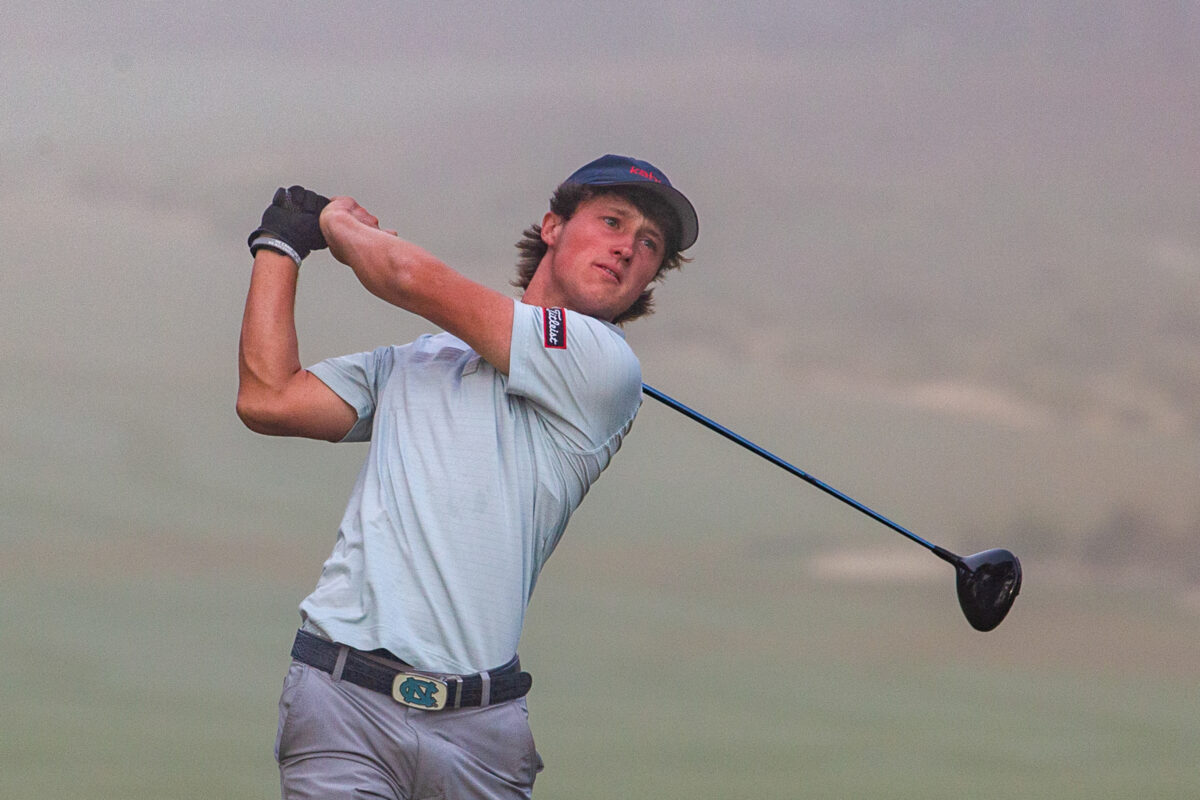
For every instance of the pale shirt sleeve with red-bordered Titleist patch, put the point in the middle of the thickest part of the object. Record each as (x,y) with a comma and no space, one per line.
(578,371)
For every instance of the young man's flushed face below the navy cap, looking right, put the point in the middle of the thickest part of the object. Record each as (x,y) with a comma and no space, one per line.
(601,261)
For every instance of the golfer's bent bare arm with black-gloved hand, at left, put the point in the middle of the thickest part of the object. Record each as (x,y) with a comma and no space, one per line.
(275,395)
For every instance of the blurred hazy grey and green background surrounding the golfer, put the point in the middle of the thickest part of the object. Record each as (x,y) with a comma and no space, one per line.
(950,263)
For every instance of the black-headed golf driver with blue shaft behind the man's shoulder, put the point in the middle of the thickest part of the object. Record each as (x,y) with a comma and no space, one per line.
(987,582)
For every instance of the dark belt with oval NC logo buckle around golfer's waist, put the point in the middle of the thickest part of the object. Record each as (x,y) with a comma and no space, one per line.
(409,687)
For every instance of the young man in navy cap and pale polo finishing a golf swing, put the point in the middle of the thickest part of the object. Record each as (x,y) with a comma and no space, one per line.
(484,440)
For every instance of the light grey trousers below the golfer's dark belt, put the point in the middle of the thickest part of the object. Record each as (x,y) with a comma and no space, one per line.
(340,741)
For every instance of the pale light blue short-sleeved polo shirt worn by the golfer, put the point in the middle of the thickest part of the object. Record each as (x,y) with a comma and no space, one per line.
(469,484)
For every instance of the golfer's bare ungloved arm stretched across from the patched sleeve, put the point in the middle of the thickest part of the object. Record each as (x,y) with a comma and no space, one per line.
(410,278)
